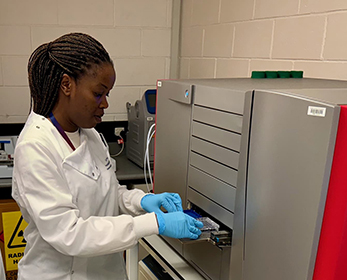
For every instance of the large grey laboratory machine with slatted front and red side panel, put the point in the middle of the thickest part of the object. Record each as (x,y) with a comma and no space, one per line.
(258,157)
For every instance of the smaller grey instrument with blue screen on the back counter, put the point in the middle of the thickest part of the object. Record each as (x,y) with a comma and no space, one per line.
(141,117)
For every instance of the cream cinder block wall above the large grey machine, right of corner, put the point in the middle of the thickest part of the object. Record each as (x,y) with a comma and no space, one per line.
(232,38)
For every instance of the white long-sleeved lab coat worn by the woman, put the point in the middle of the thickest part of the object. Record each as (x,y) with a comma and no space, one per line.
(73,205)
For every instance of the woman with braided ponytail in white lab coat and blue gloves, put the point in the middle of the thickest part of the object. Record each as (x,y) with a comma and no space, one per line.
(79,218)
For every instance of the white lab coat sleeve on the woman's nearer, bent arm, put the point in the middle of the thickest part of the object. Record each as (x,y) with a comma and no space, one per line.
(45,195)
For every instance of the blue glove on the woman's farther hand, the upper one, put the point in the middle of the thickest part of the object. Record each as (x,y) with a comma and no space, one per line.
(170,201)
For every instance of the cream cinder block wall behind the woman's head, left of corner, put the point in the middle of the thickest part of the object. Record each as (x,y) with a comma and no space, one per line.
(136,33)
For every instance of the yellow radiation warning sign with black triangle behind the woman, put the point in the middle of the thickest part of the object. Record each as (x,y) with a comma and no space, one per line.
(13,226)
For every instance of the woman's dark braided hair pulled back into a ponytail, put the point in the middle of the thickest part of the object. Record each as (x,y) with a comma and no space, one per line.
(71,54)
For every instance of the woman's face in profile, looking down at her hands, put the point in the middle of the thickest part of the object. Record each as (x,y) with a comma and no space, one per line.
(89,93)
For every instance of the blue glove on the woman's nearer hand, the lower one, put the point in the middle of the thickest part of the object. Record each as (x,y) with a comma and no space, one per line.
(178,225)
